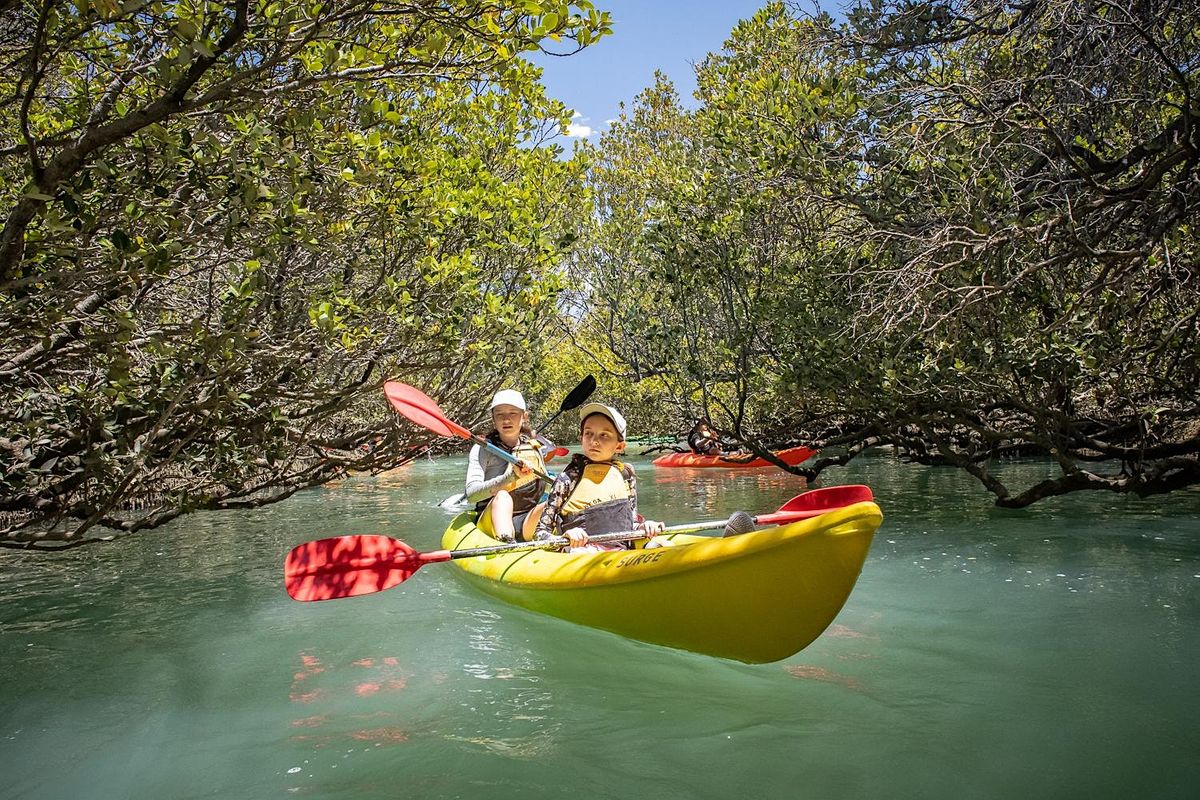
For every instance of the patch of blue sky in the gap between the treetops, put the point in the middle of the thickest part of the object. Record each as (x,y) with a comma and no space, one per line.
(647,35)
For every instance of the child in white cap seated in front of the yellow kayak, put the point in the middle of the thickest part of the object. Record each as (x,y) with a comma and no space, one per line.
(596,494)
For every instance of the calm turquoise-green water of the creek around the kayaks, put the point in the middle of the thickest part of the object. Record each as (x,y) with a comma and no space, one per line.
(1047,653)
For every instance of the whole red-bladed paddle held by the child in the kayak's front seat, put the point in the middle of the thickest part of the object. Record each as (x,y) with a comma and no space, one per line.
(347,567)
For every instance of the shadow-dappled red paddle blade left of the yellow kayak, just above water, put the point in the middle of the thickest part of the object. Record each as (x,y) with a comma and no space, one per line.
(345,567)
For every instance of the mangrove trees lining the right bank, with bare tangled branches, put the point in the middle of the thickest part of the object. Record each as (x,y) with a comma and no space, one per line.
(964,230)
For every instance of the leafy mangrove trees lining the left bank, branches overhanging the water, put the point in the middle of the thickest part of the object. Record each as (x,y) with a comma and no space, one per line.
(226,224)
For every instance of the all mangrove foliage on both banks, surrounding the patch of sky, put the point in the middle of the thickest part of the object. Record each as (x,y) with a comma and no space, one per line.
(965,230)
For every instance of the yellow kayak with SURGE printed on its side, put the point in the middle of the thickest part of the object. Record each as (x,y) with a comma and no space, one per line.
(757,598)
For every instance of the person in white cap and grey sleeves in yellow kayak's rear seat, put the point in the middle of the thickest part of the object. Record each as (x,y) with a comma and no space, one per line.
(507,497)
